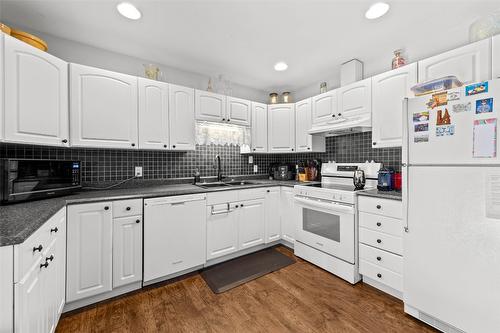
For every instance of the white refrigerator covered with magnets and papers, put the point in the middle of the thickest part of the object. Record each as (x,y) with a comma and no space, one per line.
(451,200)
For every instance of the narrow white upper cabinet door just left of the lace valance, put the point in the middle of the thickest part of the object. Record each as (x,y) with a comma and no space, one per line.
(181,117)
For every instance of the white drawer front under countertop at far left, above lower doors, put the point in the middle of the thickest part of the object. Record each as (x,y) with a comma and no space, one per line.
(29,253)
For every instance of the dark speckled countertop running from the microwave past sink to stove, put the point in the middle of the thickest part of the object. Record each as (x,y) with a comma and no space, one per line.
(21,220)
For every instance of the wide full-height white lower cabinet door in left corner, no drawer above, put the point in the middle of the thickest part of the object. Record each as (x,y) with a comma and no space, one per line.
(89,250)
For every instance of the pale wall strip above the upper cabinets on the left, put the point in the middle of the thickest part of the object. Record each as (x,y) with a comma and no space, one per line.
(76,52)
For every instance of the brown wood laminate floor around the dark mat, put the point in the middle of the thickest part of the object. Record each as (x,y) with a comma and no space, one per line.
(298,298)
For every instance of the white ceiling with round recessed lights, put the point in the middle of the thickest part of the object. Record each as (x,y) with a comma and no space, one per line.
(244,39)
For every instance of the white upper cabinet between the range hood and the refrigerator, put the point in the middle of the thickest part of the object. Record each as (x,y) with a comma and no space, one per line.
(388,91)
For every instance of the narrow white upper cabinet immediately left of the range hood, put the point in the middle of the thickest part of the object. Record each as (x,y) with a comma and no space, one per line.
(303,122)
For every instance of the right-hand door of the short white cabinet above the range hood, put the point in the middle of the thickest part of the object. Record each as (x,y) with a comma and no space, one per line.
(354,101)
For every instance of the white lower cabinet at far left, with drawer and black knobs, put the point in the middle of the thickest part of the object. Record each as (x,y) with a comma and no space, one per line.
(39,295)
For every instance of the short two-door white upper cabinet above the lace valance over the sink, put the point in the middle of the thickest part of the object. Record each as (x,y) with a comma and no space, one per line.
(214,107)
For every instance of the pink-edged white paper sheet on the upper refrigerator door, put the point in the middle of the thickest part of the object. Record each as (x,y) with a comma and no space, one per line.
(485,138)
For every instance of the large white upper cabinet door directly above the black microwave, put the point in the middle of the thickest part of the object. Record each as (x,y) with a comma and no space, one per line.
(36,95)
